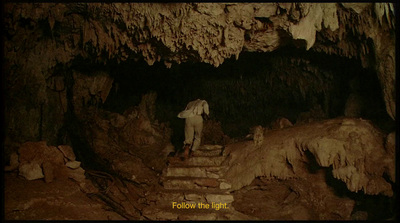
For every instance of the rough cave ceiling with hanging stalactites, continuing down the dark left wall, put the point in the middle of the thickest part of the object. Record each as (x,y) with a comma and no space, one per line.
(43,41)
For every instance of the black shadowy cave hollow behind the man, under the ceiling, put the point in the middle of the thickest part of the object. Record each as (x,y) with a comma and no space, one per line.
(253,90)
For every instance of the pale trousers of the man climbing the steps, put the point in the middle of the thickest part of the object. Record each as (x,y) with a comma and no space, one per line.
(193,129)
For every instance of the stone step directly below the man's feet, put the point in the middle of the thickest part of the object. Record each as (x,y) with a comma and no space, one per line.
(197,161)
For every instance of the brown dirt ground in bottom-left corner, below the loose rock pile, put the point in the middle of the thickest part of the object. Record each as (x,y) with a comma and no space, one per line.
(61,199)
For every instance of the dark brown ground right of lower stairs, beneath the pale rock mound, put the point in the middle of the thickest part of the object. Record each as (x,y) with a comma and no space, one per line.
(293,199)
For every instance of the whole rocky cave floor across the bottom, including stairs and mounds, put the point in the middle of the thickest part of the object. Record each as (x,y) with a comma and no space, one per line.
(46,182)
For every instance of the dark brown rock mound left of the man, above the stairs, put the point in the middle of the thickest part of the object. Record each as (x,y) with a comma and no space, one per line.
(139,147)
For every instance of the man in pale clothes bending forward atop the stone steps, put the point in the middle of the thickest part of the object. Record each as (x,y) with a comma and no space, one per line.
(194,114)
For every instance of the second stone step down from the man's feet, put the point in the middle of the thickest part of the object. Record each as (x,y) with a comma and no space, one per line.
(195,171)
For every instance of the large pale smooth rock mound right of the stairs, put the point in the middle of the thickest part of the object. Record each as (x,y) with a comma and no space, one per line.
(353,148)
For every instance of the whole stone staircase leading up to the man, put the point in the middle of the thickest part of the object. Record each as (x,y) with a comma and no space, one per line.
(195,189)
